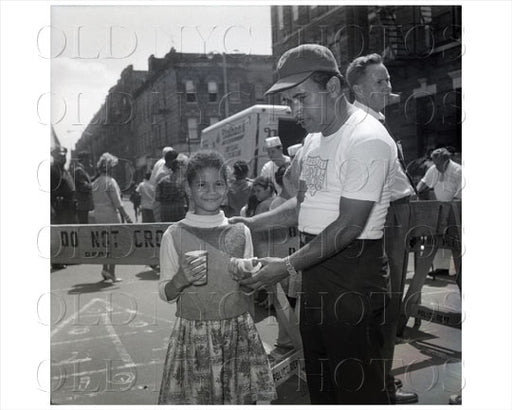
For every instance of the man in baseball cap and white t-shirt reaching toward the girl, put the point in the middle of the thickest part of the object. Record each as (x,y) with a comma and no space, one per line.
(348,163)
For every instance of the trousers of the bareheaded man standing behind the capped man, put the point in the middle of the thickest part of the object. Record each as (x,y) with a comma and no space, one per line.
(395,237)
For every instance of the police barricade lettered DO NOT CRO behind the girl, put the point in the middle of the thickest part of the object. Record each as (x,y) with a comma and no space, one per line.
(139,244)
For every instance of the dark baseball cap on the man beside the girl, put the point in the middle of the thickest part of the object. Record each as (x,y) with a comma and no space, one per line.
(298,63)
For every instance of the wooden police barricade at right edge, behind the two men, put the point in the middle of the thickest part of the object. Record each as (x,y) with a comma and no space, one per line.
(434,225)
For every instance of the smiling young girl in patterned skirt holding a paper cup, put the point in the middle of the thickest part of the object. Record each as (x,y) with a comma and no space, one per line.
(215,355)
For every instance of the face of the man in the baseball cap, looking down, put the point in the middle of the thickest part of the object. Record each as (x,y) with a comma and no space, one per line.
(310,105)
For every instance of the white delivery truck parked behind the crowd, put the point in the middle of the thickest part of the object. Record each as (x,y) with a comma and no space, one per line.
(242,135)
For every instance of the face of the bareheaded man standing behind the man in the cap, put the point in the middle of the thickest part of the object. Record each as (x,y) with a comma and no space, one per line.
(374,87)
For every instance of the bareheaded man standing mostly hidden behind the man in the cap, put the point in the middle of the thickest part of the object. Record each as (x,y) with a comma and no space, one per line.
(370,83)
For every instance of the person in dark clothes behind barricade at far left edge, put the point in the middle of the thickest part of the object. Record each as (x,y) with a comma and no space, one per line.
(62,195)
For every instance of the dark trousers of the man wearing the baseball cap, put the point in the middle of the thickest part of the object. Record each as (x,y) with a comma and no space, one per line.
(341,323)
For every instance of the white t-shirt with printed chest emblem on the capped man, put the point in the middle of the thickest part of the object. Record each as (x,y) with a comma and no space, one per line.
(359,161)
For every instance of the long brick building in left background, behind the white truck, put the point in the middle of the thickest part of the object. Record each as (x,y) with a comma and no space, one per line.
(171,103)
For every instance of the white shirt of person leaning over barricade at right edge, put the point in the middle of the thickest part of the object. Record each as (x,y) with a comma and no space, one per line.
(447,185)
